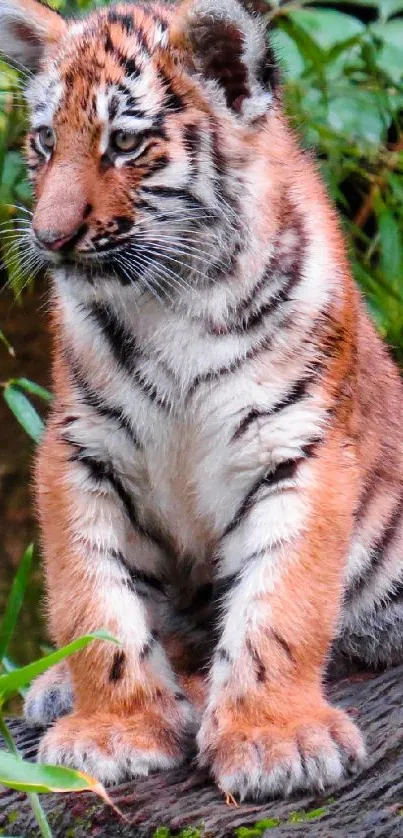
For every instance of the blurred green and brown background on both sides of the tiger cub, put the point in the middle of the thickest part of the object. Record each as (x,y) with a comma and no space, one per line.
(343,83)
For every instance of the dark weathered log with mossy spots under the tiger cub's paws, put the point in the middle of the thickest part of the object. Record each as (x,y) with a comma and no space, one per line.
(366,806)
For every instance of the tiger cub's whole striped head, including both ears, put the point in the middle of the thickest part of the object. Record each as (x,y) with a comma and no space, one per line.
(140,116)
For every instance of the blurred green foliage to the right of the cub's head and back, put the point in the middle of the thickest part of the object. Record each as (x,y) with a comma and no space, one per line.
(344,93)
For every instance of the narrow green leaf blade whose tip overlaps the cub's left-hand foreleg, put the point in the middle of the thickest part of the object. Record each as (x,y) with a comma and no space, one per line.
(11,682)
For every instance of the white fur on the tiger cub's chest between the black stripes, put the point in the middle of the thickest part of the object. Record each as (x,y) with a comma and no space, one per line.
(189,476)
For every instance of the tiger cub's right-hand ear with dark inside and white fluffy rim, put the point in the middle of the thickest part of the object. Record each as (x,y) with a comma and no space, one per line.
(229,46)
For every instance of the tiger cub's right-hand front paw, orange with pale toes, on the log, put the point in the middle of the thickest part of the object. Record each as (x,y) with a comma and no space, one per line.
(260,762)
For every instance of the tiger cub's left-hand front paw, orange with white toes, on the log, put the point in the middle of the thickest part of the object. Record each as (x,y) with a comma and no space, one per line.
(112,748)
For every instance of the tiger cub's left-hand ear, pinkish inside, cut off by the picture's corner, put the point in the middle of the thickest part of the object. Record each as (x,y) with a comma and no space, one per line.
(27,30)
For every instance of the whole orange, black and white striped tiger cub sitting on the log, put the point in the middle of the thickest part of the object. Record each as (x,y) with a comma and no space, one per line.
(220,481)
